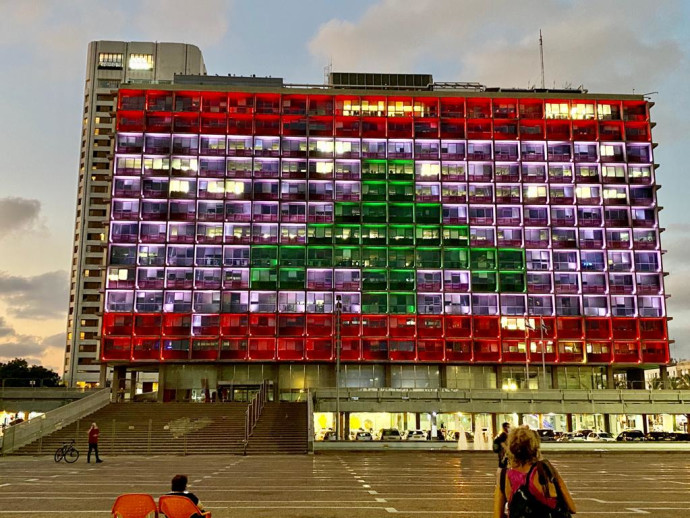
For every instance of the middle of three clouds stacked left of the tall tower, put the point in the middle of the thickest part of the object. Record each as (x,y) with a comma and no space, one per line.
(40,296)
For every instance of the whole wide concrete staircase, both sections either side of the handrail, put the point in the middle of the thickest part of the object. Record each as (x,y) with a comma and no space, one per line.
(183,429)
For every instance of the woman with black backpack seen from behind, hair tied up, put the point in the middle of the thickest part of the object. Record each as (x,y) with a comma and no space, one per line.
(530,486)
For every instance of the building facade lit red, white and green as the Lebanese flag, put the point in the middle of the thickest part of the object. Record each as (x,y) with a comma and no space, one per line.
(467,232)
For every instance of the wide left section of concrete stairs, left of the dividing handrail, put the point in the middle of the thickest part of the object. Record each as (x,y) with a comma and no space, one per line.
(175,429)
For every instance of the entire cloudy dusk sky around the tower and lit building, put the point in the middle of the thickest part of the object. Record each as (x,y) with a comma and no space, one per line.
(620,46)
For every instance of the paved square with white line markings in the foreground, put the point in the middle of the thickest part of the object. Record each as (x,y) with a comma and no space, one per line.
(341,485)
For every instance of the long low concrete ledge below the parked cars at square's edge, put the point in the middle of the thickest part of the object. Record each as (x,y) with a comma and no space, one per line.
(560,447)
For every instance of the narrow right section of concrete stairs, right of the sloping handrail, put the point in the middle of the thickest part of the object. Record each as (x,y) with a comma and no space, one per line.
(282,428)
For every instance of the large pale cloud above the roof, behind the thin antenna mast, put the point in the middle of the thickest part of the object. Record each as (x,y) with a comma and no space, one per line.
(586,41)
